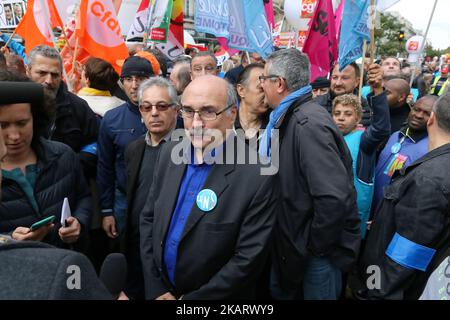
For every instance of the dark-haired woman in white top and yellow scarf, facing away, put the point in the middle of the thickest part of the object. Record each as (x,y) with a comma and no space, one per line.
(100,79)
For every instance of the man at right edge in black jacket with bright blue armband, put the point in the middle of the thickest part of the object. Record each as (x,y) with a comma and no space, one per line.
(412,225)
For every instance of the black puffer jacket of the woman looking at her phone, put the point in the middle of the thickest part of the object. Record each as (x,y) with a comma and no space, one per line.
(58,175)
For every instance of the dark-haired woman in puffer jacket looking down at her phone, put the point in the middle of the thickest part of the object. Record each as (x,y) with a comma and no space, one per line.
(37,174)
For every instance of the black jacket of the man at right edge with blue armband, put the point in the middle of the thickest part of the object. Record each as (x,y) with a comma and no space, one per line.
(416,205)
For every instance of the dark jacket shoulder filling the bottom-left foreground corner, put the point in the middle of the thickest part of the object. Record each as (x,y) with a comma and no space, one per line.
(36,271)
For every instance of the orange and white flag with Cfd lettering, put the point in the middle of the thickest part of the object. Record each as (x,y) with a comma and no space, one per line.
(98,31)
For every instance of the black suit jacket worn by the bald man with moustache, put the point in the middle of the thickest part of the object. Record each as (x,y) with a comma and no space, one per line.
(222,252)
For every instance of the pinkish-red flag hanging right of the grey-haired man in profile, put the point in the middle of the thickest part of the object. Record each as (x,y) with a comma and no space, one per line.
(321,44)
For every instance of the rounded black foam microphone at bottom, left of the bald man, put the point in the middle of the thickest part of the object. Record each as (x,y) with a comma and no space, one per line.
(113,273)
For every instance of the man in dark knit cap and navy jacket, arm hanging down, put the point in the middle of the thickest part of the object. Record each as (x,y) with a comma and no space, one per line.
(119,127)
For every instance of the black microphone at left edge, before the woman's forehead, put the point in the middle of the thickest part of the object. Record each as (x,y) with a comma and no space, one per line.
(20,92)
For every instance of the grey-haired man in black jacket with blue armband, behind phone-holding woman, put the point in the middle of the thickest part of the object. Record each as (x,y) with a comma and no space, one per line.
(75,124)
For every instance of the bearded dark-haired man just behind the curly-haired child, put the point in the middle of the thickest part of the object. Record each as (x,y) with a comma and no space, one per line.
(342,82)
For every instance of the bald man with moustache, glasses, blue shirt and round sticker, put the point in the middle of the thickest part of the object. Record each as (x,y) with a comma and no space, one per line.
(206,225)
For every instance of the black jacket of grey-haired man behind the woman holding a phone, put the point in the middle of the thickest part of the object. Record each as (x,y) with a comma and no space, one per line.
(76,125)
